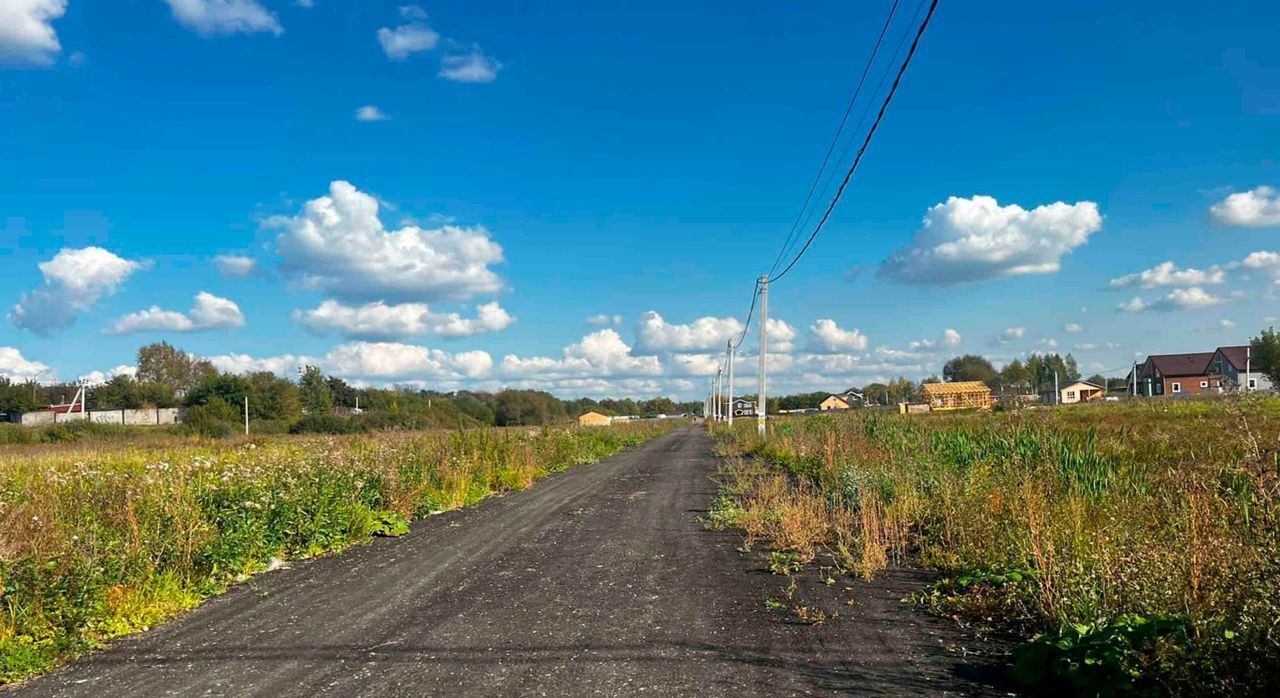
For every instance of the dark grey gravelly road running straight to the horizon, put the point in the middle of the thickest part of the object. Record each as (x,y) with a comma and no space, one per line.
(597,582)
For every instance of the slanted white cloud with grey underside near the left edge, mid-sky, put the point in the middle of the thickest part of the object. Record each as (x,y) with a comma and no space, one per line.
(75,280)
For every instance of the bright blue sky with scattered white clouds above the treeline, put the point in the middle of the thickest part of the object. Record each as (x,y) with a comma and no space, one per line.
(537,166)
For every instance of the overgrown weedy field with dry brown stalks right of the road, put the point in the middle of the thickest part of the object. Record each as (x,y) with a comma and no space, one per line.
(1137,544)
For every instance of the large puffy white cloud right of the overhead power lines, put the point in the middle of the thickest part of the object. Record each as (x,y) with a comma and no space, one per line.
(968,240)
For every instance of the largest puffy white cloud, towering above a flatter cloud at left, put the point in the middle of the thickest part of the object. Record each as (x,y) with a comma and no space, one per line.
(340,247)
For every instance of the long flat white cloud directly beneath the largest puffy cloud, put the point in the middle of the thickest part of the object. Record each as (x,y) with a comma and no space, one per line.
(380,321)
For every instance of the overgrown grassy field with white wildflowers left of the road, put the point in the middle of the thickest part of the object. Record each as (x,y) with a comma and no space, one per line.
(102,542)
